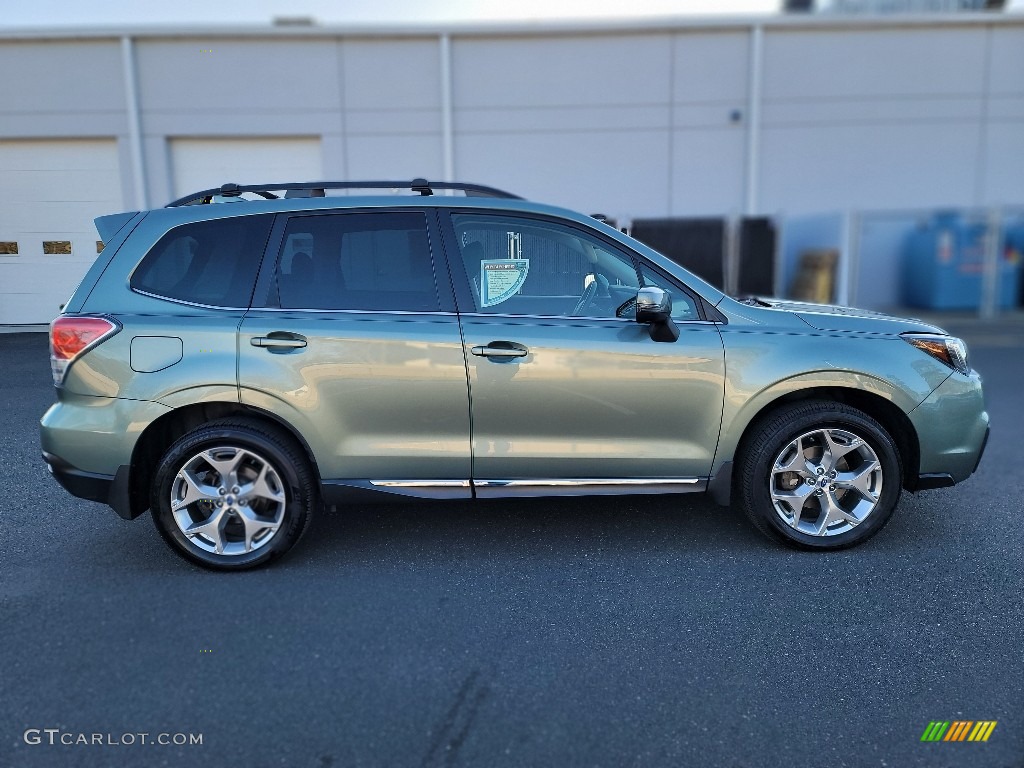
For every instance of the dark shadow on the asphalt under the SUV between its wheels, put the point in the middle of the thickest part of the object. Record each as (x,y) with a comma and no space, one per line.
(507,529)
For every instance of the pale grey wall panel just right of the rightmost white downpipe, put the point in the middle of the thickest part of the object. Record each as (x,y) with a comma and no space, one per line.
(872,118)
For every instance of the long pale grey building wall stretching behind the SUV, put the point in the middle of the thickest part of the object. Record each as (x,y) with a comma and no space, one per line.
(649,120)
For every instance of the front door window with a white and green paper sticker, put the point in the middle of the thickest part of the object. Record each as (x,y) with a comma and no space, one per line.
(528,267)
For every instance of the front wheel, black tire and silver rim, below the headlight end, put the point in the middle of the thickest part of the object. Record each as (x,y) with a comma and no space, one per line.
(764,490)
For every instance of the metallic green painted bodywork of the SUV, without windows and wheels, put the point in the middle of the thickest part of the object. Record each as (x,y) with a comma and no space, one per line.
(380,396)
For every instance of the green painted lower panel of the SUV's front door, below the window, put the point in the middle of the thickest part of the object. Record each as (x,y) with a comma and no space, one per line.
(594,399)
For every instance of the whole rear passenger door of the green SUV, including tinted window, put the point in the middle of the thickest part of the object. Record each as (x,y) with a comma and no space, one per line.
(352,342)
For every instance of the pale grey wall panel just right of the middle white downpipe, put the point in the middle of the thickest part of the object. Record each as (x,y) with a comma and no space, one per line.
(576,121)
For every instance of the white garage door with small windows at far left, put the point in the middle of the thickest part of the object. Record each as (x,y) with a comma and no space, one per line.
(51,192)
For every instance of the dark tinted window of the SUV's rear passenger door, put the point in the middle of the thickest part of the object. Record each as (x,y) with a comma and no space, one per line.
(358,262)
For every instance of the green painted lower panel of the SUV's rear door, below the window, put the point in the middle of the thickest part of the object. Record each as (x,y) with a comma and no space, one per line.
(374,395)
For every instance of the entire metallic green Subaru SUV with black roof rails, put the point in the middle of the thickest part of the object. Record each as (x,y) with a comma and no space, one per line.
(237,369)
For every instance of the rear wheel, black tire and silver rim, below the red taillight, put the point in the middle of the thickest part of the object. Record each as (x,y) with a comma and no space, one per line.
(274,502)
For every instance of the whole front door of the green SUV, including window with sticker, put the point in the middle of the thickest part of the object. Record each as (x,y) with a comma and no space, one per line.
(567,389)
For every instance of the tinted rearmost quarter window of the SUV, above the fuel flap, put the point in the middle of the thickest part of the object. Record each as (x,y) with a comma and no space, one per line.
(208,263)
